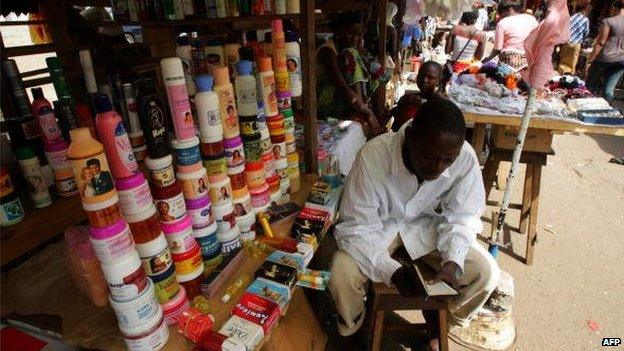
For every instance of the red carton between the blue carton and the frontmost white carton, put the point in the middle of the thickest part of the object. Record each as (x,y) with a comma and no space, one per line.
(257,310)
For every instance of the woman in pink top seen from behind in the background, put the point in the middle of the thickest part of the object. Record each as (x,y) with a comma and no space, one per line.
(511,30)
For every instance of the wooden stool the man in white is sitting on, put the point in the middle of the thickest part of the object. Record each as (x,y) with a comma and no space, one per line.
(384,298)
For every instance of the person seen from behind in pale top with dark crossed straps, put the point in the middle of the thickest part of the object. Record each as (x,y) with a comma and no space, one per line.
(465,42)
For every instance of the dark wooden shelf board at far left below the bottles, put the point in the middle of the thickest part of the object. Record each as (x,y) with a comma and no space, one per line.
(40,226)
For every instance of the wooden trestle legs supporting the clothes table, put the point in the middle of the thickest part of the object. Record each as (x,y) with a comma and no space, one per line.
(530,196)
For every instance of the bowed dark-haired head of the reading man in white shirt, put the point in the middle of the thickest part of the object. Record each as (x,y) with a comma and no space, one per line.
(434,139)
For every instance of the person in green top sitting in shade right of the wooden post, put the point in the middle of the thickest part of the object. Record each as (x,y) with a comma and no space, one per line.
(344,85)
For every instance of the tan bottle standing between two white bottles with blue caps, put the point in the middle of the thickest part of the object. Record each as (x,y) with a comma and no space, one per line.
(227,107)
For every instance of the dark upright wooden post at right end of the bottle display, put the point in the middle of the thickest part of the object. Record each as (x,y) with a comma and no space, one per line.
(308,66)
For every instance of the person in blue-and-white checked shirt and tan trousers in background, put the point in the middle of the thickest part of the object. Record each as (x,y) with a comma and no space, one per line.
(579,30)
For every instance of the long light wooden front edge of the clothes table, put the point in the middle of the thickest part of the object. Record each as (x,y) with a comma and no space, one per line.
(544,123)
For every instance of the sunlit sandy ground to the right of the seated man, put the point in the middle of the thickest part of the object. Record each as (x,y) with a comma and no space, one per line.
(577,275)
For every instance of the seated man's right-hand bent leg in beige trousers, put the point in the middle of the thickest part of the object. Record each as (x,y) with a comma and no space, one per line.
(480,278)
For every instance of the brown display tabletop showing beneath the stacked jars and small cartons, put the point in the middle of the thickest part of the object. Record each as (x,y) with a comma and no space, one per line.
(43,286)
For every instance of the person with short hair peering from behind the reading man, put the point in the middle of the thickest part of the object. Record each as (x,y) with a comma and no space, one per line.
(429,79)
